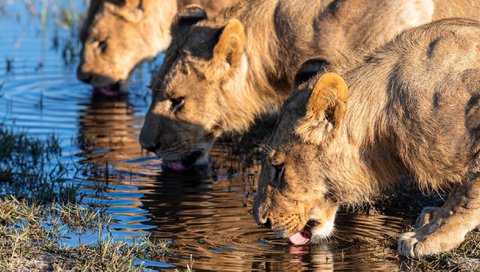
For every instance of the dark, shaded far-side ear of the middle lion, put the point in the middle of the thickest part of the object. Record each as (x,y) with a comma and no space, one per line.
(185,19)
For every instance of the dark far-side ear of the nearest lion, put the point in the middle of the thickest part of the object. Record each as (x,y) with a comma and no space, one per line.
(309,70)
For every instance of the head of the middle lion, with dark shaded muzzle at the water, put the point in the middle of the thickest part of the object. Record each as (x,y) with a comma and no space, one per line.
(195,86)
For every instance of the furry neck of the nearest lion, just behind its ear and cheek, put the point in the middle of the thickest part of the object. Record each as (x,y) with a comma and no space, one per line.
(366,141)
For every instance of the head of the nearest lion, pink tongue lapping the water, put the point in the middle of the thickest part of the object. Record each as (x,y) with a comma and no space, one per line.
(295,197)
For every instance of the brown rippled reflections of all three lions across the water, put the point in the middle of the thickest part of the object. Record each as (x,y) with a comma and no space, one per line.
(209,217)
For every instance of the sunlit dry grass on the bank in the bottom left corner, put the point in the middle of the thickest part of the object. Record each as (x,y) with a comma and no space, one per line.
(31,234)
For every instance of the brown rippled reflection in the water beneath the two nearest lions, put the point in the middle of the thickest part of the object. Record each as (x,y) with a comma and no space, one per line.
(211,219)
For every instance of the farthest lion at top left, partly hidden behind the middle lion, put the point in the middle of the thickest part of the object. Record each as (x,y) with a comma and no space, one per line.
(117,35)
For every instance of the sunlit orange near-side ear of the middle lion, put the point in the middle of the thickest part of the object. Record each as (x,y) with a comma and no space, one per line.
(230,45)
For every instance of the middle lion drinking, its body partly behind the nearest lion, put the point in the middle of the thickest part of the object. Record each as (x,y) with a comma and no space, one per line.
(220,74)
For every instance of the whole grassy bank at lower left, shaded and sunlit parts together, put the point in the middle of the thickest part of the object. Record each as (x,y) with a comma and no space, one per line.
(40,210)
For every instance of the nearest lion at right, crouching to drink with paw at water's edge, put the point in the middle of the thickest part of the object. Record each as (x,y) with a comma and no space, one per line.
(413,108)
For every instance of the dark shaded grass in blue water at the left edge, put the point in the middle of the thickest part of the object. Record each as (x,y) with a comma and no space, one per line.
(29,169)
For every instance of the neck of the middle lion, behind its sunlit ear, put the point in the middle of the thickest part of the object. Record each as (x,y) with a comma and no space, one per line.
(275,49)
